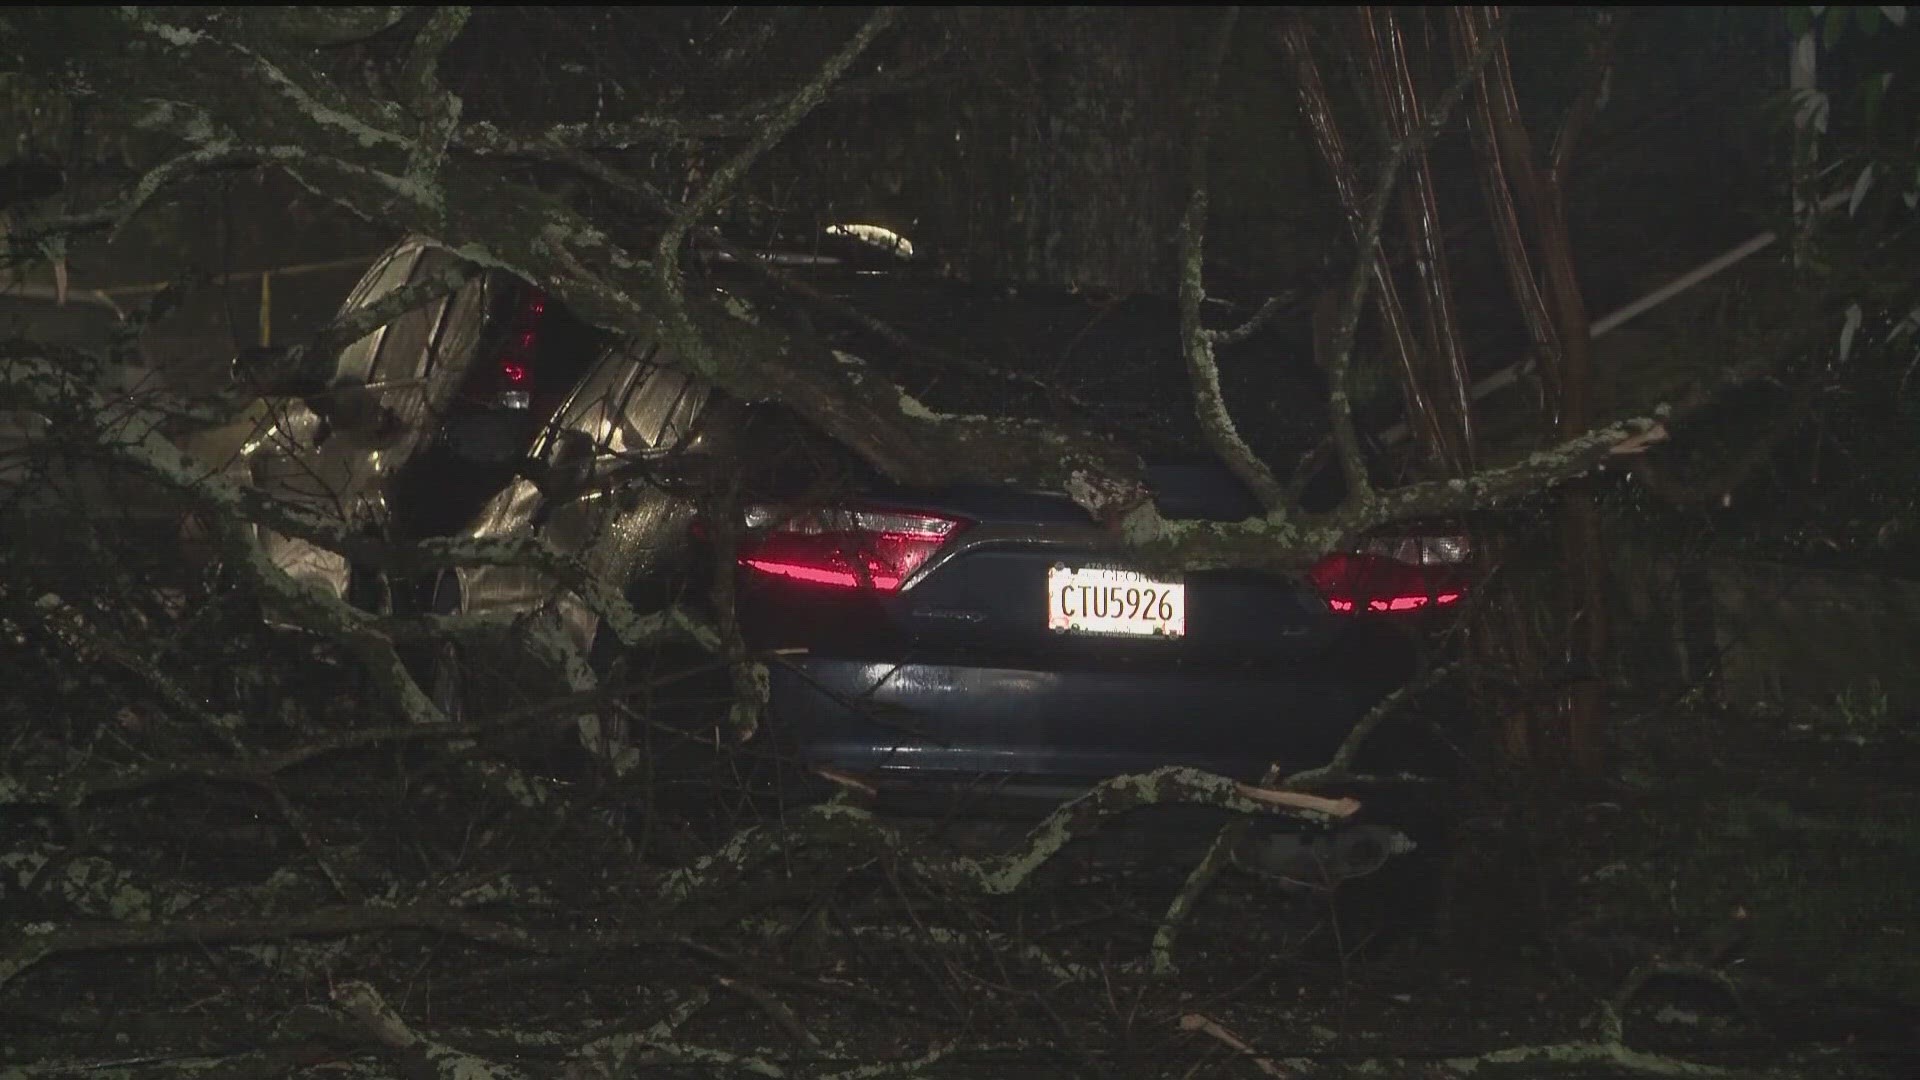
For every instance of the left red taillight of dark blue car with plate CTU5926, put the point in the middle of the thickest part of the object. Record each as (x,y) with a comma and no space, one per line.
(844,549)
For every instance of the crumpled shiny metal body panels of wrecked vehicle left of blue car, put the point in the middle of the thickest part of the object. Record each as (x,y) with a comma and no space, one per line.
(395,441)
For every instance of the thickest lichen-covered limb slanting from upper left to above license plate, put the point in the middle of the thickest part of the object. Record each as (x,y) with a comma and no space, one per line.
(539,239)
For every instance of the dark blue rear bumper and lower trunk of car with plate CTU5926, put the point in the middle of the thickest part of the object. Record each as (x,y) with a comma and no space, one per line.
(959,674)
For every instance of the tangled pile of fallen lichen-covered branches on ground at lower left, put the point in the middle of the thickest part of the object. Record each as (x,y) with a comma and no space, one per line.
(237,839)
